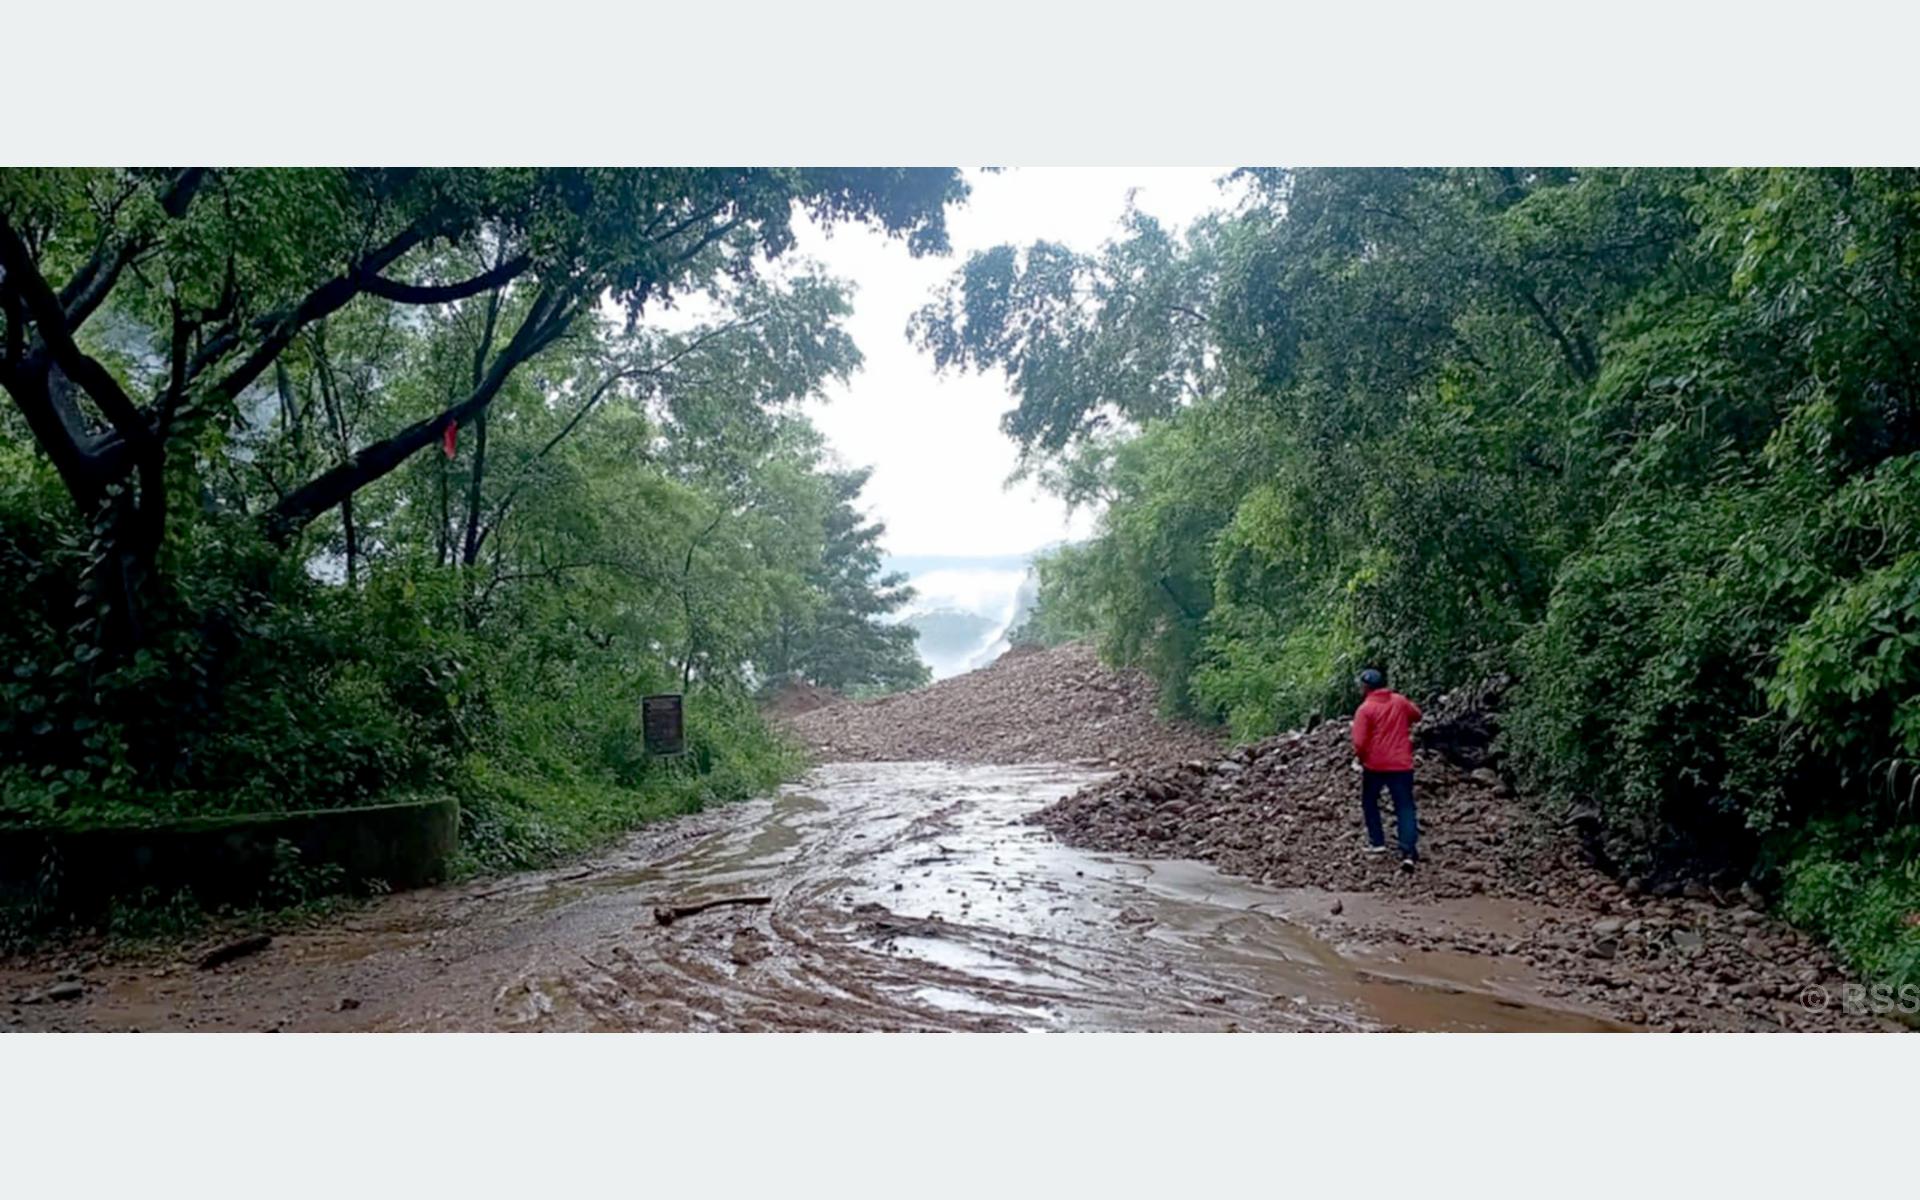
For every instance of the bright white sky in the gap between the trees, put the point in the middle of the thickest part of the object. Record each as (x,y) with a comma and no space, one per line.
(936,446)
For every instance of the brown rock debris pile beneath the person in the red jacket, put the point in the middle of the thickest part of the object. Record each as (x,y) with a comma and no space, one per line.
(1285,811)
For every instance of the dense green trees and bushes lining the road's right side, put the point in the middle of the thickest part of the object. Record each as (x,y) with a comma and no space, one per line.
(1644,441)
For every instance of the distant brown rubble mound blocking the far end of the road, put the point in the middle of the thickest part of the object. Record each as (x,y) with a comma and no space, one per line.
(1030,706)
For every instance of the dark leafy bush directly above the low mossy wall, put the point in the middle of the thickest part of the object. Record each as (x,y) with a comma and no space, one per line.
(260,690)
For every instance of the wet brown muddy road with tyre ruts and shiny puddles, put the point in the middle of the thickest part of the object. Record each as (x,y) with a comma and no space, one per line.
(900,898)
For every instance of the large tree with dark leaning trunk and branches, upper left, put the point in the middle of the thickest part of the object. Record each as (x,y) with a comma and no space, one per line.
(218,274)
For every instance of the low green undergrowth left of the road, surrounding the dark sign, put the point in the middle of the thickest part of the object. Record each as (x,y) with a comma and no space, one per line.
(318,696)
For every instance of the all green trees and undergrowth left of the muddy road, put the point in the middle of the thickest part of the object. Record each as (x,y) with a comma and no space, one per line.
(324,489)
